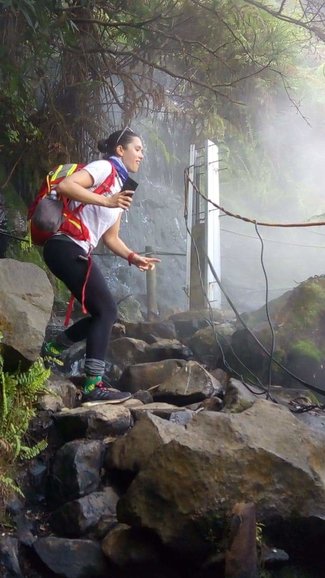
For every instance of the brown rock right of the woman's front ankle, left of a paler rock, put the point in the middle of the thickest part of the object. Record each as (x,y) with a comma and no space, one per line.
(146,375)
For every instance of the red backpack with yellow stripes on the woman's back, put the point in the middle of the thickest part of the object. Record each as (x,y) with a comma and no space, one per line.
(50,212)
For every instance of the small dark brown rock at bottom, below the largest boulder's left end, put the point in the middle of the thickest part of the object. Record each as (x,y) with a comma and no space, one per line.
(125,546)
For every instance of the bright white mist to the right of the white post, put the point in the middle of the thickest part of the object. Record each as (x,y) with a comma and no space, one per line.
(294,143)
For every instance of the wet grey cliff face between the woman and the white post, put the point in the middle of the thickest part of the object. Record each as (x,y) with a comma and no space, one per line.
(156,219)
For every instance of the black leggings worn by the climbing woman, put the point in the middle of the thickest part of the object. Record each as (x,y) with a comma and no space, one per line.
(68,261)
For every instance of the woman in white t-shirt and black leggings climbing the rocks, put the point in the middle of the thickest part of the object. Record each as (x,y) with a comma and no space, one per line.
(69,259)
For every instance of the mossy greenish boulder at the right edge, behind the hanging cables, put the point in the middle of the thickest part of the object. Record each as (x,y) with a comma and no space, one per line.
(299,328)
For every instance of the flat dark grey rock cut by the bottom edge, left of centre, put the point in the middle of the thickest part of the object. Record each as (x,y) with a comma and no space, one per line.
(72,558)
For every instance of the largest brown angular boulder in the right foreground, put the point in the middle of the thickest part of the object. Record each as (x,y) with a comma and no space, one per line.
(264,455)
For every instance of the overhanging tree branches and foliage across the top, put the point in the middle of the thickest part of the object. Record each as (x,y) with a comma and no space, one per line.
(70,68)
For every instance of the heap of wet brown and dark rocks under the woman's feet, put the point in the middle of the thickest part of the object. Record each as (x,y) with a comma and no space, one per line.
(144,488)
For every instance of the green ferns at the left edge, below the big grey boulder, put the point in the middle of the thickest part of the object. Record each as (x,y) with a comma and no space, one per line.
(18,394)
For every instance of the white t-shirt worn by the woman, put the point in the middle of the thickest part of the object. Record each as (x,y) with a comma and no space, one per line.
(98,219)
